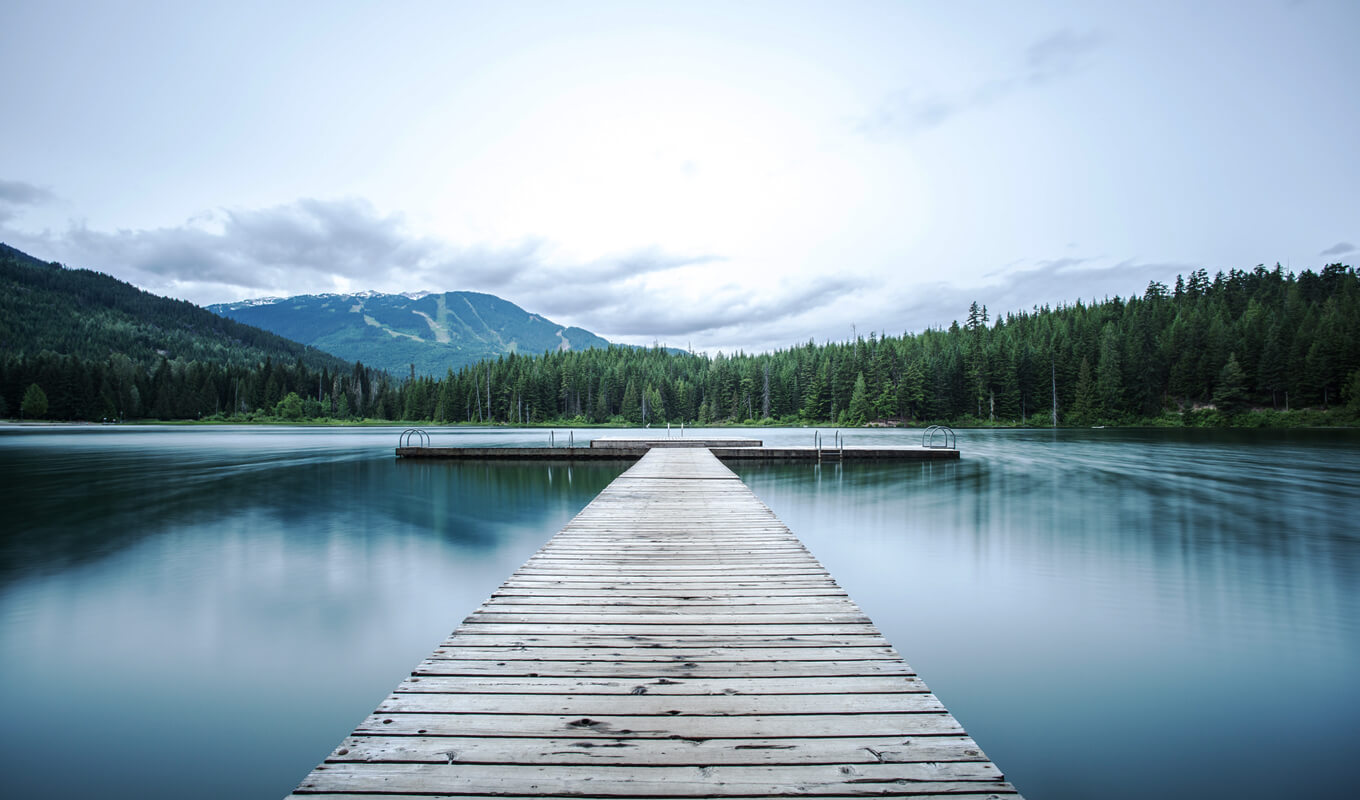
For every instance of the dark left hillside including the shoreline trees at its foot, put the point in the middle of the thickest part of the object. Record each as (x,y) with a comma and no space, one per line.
(81,345)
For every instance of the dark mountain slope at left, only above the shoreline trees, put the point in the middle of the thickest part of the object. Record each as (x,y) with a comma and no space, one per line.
(47,308)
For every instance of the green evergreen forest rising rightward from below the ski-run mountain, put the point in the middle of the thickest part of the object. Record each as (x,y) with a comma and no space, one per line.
(1200,353)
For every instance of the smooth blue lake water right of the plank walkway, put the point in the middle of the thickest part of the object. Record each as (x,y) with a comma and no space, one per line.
(1116,614)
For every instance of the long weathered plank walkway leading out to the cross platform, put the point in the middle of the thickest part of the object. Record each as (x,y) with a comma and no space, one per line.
(675,640)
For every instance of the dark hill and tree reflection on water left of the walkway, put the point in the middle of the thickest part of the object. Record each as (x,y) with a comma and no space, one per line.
(71,510)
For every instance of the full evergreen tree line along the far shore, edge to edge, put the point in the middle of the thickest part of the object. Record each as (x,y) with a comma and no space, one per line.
(1260,348)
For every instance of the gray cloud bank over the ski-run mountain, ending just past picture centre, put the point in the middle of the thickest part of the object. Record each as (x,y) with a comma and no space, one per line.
(313,247)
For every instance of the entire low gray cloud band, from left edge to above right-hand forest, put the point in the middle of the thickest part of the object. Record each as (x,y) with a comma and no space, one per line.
(313,247)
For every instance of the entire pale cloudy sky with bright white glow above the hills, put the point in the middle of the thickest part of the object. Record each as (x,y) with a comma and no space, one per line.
(726,176)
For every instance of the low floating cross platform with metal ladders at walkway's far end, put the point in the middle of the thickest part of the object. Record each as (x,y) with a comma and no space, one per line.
(727,450)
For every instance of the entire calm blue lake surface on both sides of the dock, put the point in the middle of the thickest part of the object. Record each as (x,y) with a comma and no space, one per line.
(1115,614)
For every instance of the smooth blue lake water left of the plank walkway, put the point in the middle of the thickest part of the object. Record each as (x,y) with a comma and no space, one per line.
(213,612)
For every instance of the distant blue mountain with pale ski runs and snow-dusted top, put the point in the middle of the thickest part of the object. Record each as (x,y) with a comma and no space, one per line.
(435,333)
